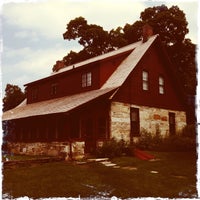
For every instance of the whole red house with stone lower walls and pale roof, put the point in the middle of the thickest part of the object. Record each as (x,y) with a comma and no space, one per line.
(118,94)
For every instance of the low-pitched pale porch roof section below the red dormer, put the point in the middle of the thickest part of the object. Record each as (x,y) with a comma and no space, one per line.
(55,106)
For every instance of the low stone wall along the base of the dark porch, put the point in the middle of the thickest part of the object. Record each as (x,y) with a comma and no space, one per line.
(48,149)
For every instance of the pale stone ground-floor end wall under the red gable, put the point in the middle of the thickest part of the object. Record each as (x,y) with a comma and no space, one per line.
(151,120)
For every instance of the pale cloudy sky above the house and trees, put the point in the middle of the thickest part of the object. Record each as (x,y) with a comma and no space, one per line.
(32,31)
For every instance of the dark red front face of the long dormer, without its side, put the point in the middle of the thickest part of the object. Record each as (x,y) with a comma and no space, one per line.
(67,83)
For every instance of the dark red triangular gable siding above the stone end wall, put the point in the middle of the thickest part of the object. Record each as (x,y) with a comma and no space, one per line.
(132,91)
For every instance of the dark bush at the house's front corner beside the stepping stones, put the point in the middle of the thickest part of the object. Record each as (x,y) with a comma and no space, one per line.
(112,148)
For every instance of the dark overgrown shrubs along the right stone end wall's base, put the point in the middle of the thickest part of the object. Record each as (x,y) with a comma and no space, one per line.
(184,141)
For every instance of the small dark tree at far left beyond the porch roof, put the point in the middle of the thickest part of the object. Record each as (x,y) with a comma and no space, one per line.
(13,97)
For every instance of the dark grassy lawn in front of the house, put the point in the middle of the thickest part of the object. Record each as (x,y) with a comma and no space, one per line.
(172,175)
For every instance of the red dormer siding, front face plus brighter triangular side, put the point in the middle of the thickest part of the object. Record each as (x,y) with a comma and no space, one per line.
(70,82)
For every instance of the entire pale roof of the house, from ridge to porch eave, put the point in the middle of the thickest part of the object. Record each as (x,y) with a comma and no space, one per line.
(67,103)
